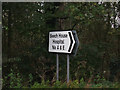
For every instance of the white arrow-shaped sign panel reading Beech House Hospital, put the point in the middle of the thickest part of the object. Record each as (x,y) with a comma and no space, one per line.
(61,41)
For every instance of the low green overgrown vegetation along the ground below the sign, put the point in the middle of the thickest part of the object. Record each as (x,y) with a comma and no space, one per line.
(14,80)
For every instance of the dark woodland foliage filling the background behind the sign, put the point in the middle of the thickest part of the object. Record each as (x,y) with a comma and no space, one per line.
(25,40)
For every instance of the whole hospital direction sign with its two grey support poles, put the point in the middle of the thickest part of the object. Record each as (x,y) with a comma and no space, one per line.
(63,42)
